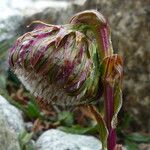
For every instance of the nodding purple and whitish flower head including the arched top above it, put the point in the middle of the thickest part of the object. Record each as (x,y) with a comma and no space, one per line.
(60,64)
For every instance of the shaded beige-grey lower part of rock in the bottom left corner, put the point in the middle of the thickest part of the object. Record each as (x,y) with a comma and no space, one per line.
(8,138)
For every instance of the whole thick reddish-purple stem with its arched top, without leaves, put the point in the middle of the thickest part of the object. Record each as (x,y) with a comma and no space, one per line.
(101,30)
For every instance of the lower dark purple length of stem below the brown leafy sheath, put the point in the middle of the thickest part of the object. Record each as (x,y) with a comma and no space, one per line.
(109,105)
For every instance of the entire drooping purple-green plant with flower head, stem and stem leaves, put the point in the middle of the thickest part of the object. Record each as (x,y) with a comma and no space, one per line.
(73,64)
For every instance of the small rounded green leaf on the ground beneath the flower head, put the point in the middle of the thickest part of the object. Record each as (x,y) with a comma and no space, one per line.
(65,118)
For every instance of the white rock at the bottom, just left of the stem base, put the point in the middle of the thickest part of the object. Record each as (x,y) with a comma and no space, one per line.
(58,140)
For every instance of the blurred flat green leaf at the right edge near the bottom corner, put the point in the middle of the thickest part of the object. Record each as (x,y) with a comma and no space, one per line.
(137,137)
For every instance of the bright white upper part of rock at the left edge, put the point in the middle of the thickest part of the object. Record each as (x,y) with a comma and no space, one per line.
(12,116)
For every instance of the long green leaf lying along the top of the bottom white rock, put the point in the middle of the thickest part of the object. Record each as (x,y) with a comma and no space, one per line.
(77,129)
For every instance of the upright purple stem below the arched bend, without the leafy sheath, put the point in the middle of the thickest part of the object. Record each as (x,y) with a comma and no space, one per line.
(109,90)
